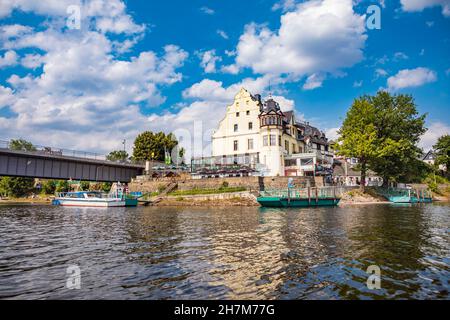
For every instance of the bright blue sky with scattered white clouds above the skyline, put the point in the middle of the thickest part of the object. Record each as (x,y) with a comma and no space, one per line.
(175,65)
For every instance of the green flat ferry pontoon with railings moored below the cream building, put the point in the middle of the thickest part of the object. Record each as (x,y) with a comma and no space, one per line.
(297,198)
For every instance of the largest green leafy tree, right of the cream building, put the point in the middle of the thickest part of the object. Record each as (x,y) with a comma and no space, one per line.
(382,131)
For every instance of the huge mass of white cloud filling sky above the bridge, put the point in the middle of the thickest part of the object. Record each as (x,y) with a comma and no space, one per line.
(84,97)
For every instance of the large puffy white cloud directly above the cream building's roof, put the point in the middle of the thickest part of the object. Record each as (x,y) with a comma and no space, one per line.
(304,41)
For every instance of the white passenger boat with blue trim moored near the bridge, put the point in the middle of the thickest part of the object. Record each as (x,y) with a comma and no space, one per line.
(89,199)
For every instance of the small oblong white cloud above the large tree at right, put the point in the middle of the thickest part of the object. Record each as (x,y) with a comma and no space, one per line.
(411,78)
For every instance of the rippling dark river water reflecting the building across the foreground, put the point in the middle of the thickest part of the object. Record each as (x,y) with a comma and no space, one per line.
(232,253)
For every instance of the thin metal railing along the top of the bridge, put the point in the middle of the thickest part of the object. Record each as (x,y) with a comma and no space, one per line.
(45,150)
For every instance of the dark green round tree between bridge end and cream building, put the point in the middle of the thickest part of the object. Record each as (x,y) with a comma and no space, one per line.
(151,146)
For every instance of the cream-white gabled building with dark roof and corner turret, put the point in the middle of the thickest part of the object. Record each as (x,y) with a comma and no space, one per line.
(258,135)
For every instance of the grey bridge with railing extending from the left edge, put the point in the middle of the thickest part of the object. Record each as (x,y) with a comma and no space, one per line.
(50,163)
